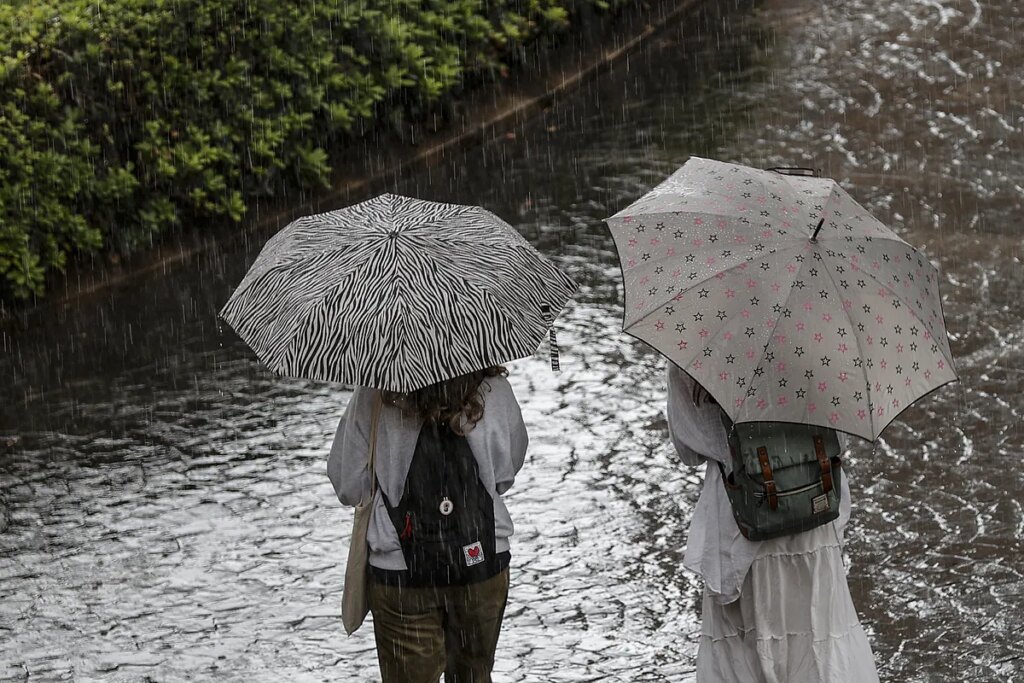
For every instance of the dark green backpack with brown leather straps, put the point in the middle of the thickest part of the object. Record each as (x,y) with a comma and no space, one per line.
(786,478)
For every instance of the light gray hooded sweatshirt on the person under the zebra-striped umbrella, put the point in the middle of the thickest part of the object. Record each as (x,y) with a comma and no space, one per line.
(498,442)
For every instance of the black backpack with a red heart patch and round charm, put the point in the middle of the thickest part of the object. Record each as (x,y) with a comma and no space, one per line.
(446,518)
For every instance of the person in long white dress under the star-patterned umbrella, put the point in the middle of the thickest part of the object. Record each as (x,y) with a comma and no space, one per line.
(777,611)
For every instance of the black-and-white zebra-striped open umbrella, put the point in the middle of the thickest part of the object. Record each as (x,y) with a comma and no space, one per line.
(396,293)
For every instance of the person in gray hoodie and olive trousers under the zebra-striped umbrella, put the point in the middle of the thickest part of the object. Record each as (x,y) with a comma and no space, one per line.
(447,625)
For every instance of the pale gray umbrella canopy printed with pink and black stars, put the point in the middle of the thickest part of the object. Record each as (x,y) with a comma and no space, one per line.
(783,297)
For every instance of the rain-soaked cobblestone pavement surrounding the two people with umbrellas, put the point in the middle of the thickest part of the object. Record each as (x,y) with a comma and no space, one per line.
(165,514)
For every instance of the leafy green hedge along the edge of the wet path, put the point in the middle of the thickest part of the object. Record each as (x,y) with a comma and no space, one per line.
(122,119)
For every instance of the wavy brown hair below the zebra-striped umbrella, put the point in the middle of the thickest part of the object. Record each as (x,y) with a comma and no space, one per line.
(457,402)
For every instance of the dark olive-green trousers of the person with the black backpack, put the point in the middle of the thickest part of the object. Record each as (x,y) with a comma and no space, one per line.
(422,632)
